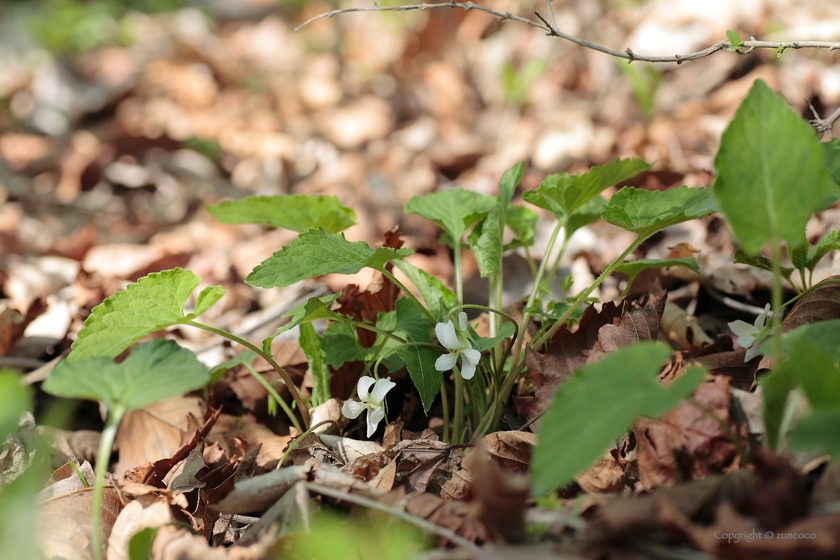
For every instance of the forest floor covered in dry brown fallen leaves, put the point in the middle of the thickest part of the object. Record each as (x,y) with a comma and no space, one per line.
(110,152)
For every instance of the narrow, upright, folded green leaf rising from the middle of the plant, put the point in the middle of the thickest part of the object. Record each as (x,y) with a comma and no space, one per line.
(486,237)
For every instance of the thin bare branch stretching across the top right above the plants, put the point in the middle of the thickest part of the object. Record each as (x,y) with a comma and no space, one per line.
(551,30)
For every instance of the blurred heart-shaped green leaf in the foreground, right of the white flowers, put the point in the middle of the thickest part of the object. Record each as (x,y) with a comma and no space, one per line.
(598,404)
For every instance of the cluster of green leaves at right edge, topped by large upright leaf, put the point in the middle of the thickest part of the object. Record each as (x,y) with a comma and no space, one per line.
(773,174)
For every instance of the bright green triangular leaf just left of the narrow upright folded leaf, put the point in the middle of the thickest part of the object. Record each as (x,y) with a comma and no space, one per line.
(454,210)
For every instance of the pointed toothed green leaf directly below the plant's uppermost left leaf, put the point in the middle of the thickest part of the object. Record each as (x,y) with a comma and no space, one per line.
(316,252)
